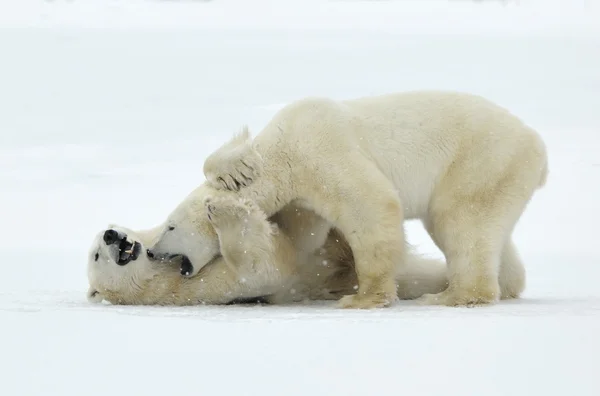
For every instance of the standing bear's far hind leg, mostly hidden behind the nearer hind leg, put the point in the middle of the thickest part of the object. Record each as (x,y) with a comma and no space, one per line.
(512,272)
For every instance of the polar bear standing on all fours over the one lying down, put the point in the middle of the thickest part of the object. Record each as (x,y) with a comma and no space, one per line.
(464,166)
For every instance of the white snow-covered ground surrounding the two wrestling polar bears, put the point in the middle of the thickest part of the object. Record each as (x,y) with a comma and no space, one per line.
(109,108)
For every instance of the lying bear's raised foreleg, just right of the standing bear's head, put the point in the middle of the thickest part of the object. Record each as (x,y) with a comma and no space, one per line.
(249,243)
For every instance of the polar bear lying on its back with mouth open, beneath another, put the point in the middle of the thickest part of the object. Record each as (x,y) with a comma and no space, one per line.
(258,261)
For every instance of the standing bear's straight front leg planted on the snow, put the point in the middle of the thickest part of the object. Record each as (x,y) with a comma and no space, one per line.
(359,200)
